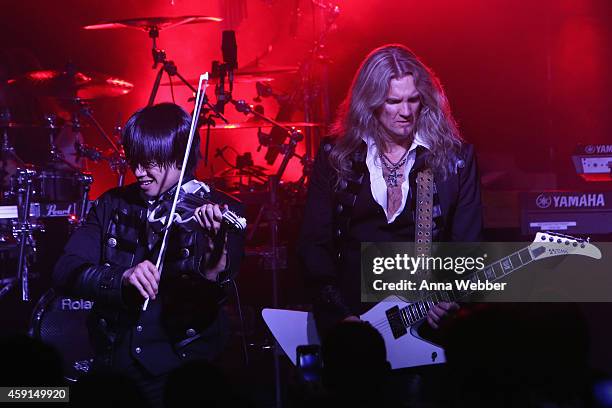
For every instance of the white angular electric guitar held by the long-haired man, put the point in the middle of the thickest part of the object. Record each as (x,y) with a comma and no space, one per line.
(398,321)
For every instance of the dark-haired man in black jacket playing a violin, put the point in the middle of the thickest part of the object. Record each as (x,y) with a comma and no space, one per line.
(110,259)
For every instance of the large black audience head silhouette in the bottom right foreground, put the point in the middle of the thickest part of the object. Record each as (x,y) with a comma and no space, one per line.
(526,353)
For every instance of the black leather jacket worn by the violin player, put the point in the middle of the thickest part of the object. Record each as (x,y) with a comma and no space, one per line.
(183,322)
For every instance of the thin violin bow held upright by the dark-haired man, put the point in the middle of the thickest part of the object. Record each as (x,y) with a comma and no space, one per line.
(201,92)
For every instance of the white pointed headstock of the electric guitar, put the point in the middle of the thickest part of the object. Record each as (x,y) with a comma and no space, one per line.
(548,244)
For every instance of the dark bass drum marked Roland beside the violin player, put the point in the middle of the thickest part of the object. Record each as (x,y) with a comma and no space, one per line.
(62,322)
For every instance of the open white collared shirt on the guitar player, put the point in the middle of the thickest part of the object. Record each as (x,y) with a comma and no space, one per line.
(378,184)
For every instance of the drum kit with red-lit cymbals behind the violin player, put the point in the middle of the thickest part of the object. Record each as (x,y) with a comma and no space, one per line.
(58,185)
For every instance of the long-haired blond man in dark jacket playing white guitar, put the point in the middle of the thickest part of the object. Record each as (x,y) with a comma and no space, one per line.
(394,122)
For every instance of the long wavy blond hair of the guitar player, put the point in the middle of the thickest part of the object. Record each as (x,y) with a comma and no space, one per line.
(357,119)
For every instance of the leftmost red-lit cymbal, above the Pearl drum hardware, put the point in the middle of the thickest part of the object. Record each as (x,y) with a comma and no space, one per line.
(67,85)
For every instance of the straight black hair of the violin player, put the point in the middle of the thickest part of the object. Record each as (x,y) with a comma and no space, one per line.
(157,135)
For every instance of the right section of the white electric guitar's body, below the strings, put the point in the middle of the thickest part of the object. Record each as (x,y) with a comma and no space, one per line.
(408,349)
